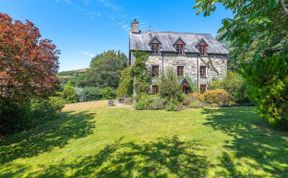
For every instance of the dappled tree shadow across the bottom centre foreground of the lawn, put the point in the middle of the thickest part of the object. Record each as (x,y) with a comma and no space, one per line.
(152,159)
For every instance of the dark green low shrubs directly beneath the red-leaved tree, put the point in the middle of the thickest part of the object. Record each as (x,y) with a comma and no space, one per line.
(18,117)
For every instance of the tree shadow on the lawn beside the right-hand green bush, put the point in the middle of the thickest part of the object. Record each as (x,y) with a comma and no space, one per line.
(252,139)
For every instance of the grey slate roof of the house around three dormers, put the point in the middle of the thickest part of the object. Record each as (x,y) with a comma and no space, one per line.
(140,41)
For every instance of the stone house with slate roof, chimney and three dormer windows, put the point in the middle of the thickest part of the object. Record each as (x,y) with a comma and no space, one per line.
(197,56)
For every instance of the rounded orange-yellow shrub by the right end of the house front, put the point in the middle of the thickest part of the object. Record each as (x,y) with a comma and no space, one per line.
(219,97)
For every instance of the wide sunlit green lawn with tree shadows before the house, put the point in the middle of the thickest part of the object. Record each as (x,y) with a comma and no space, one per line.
(95,141)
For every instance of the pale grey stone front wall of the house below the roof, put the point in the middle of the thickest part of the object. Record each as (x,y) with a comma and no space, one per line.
(216,66)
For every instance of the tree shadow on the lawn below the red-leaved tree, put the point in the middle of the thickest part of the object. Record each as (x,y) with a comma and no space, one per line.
(47,136)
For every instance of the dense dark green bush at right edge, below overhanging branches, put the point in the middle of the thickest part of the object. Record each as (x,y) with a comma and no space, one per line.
(268,88)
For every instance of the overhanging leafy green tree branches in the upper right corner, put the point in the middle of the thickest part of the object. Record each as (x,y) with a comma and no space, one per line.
(258,28)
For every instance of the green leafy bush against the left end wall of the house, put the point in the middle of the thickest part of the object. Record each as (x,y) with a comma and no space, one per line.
(125,87)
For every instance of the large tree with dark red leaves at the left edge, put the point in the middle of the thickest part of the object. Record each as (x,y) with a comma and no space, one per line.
(28,64)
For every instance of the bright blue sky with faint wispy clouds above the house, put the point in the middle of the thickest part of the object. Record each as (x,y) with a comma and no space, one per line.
(83,28)
